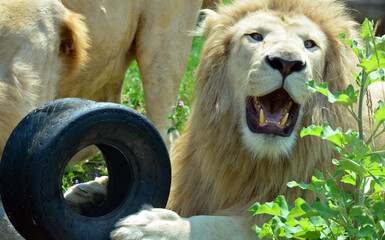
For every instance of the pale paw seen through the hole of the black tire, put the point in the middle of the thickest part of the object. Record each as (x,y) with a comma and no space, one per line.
(85,197)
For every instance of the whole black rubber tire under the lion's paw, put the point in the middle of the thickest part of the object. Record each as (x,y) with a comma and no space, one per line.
(39,148)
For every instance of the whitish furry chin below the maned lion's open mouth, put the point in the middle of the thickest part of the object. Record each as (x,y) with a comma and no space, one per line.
(269,146)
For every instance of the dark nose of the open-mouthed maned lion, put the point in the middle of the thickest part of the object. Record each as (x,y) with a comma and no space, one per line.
(285,67)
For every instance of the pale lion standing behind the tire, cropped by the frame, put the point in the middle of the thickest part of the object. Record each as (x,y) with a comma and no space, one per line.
(68,48)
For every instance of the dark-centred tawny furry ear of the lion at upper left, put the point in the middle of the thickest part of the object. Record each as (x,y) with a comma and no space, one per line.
(74,41)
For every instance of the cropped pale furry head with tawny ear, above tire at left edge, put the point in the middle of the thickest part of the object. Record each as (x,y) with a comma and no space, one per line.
(41,43)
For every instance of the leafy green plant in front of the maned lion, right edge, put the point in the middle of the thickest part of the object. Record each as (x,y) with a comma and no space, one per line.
(339,214)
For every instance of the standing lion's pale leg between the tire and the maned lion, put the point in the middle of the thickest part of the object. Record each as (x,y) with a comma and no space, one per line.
(162,48)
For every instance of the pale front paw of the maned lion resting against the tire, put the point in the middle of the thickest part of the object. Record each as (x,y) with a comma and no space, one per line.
(152,223)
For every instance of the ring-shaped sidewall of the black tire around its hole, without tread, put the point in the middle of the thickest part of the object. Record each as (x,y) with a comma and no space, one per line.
(100,123)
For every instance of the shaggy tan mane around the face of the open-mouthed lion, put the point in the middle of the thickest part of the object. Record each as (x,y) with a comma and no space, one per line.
(215,168)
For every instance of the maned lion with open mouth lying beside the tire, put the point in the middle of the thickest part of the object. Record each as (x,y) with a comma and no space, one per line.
(241,144)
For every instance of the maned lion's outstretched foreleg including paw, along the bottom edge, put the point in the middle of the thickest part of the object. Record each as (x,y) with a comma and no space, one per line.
(156,223)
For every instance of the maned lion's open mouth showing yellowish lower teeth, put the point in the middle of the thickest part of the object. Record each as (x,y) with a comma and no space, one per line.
(275,113)
